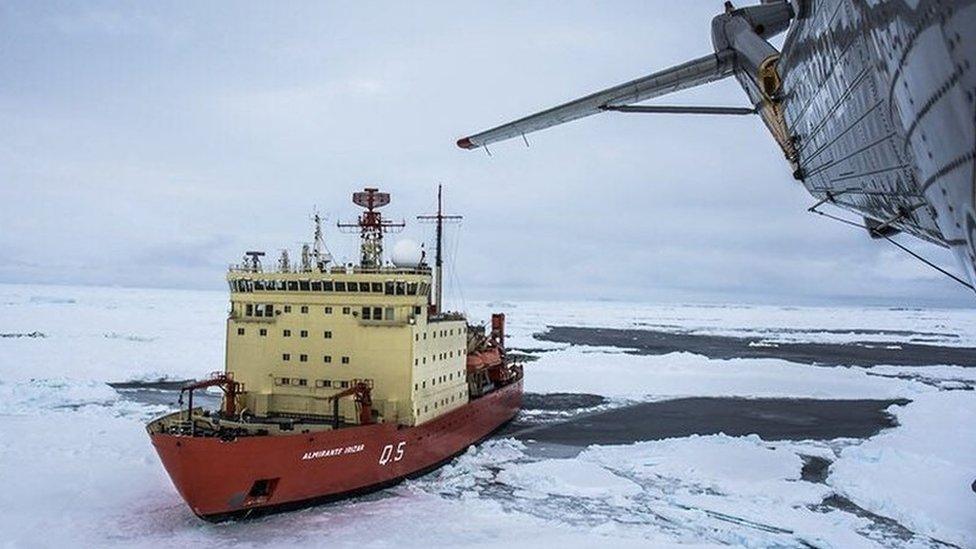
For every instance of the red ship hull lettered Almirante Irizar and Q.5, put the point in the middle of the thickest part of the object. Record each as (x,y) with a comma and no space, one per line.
(226,479)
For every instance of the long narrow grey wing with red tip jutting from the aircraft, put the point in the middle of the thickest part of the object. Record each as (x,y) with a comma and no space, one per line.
(686,75)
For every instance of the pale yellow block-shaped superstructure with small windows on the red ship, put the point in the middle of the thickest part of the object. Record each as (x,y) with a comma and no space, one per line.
(294,339)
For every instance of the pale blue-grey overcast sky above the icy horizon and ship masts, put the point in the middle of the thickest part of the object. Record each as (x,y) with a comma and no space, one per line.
(149,144)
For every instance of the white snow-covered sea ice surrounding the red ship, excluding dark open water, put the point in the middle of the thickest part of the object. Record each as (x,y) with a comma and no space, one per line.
(78,468)
